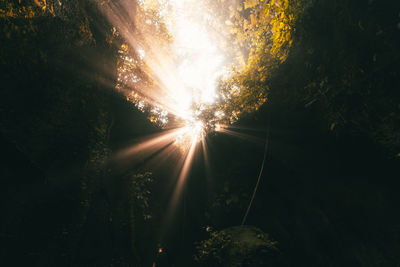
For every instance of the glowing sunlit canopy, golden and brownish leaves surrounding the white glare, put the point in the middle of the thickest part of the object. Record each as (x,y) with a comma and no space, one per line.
(261,33)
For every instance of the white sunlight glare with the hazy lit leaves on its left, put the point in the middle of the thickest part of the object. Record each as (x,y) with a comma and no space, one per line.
(177,76)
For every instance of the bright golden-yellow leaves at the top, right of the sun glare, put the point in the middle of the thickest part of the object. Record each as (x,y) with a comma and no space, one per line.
(266,27)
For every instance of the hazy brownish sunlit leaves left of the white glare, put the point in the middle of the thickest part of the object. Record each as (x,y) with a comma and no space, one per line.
(140,62)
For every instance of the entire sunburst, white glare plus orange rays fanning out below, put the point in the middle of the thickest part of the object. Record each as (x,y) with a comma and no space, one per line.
(176,77)
